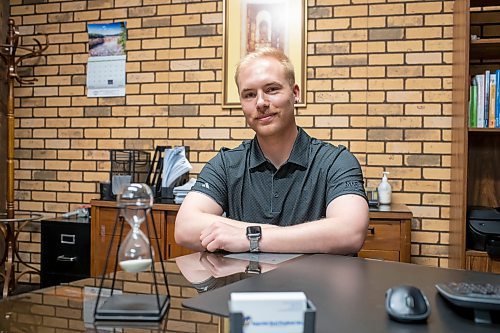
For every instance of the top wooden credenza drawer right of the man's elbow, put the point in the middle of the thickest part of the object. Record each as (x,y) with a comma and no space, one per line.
(383,235)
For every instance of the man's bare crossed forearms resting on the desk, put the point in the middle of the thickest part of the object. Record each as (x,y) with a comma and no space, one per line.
(200,226)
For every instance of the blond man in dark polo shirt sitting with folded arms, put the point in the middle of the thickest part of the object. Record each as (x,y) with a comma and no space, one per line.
(270,186)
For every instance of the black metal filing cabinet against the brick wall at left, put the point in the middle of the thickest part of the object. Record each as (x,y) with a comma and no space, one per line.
(65,250)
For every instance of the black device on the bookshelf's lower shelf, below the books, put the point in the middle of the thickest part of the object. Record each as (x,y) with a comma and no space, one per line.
(483,230)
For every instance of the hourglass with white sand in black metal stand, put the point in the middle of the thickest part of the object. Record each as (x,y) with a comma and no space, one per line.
(134,256)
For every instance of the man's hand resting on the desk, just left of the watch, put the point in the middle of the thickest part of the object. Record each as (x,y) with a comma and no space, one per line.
(223,236)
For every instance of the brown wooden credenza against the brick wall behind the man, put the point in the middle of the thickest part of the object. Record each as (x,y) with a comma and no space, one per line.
(388,236)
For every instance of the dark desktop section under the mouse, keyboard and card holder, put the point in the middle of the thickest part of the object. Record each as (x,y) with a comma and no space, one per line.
(349,293)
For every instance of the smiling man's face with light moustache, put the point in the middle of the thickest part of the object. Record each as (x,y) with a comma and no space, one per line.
(266,97)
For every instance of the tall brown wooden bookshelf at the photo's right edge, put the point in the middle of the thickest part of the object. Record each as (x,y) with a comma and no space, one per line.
(475,175)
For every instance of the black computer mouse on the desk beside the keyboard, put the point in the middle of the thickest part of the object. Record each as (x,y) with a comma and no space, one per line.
(406,304)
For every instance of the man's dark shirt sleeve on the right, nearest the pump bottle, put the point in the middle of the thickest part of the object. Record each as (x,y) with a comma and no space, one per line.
(344,176)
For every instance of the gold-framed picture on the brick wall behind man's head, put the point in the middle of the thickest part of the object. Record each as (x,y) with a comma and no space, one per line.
(252,24)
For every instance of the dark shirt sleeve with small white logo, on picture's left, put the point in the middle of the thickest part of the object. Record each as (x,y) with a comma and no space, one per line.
(212,181)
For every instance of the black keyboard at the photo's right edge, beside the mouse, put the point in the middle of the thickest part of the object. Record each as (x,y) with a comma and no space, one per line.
(482,297)
